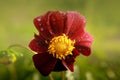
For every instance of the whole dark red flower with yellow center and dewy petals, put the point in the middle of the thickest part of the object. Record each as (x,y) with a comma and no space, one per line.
(61,38)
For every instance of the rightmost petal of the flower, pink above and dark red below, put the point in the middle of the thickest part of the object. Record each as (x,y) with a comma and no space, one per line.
(83,43)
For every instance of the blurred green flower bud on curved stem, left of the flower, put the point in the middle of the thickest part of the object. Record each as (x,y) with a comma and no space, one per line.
(15,53)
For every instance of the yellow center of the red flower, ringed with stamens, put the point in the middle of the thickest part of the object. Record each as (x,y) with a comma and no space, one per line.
(61,46)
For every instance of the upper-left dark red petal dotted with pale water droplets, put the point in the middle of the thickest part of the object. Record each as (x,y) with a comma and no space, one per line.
(43,25)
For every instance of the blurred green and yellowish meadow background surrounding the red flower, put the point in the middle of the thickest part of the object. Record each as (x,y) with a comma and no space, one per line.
(103,20)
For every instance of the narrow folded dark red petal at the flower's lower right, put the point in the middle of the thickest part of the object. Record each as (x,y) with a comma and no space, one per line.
(69,60)
